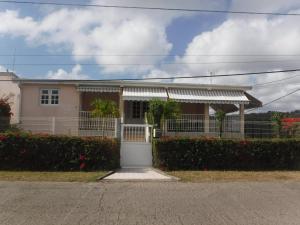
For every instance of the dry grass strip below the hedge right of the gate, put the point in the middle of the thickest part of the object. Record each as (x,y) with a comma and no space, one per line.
(213,176)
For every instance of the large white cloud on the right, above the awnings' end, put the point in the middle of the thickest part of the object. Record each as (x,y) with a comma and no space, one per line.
(244,35)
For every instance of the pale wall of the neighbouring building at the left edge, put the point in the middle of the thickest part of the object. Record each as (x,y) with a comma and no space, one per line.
(11,89)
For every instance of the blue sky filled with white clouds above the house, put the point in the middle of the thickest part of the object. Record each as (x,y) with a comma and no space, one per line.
(109,43)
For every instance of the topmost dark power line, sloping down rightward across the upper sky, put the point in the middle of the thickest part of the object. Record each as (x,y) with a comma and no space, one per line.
(152,8)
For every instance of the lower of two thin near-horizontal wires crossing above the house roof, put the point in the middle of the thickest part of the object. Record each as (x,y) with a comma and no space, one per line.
(149,64)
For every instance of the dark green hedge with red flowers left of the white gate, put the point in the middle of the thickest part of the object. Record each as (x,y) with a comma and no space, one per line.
(57,153)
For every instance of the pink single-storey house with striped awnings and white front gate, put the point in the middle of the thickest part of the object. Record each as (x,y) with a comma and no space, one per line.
(64,107)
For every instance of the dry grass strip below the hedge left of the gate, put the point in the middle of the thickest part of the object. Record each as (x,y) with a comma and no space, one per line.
(51,176)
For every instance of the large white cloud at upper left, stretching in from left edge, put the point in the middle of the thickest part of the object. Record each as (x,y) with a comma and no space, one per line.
(86,31)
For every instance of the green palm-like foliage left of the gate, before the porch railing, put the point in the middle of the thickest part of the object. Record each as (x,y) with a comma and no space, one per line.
(104,108)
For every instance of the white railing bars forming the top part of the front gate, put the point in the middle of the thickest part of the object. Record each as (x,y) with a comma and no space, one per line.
(136,133)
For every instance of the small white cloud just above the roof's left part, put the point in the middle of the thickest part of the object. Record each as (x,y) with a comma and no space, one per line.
(74,74)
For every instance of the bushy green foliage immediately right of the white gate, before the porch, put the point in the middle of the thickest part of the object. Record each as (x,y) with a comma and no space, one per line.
(160,110)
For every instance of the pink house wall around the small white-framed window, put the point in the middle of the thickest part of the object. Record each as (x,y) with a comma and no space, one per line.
(66,113)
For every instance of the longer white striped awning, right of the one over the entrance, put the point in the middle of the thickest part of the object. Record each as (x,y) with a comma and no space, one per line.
(208,96)
